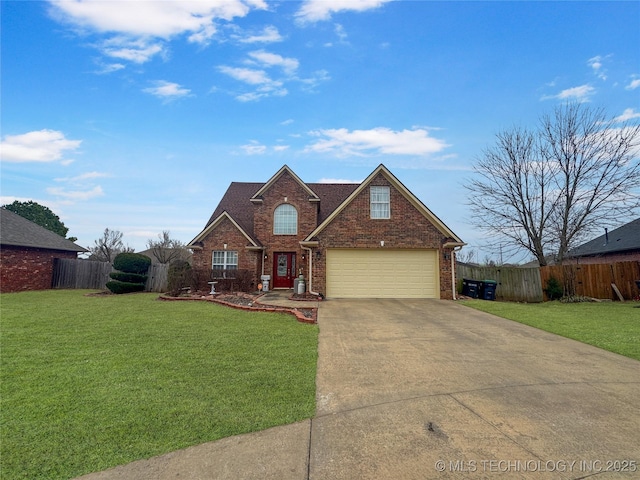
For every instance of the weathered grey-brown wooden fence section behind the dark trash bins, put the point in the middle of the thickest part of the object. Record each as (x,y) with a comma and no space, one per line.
(514,284)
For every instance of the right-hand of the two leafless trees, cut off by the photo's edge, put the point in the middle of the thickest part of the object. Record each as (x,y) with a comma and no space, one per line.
(597,164)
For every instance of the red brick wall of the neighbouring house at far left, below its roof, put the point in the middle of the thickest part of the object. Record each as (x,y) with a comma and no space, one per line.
(28,268)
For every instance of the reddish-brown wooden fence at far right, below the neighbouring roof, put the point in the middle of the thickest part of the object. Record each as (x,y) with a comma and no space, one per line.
(594,280)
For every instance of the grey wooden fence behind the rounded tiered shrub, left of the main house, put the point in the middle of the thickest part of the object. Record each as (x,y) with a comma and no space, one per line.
(69,273)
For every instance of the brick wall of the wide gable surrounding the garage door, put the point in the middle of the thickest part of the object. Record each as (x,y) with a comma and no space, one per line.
(407,228)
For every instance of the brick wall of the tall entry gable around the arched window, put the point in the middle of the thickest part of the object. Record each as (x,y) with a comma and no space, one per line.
(285,187)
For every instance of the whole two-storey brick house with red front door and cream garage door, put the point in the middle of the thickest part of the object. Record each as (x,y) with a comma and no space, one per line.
(373,239)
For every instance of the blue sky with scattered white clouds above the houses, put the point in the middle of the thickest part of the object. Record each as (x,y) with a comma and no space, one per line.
(136,115)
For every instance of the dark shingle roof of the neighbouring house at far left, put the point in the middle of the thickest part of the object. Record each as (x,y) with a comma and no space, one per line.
(19,232)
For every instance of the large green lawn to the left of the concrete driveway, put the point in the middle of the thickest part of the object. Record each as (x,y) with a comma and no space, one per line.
(92,382)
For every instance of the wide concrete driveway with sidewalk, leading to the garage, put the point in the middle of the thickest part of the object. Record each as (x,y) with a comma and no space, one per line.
(420,389)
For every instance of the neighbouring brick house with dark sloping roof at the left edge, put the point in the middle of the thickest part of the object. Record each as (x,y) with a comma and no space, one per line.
(27,251)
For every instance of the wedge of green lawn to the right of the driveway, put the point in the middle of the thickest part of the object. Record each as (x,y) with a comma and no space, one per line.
(613,326)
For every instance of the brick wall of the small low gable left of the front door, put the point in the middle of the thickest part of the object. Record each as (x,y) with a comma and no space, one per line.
(225,232)
